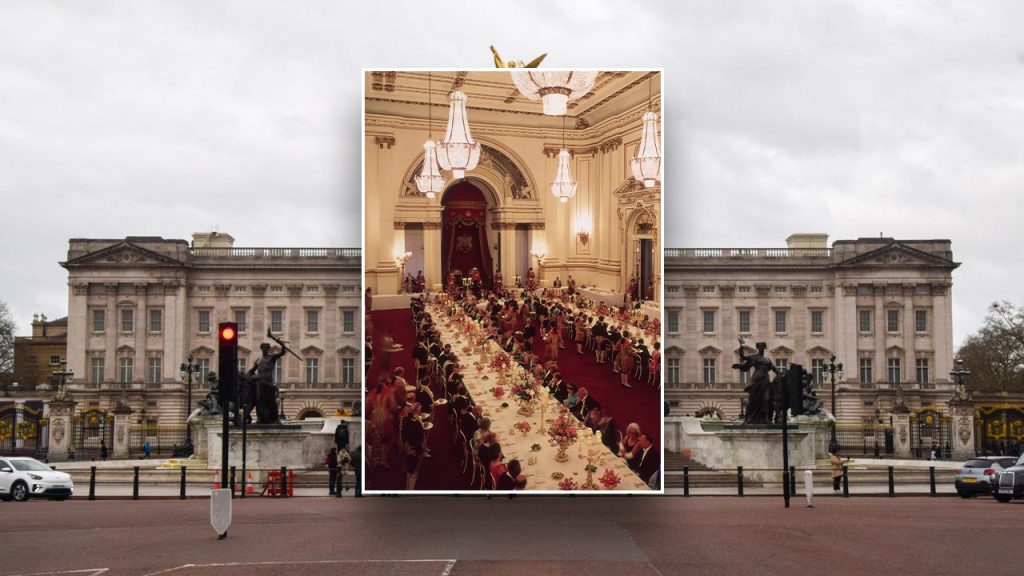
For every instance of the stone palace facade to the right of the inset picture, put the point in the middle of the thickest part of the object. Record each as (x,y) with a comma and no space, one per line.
(881,306)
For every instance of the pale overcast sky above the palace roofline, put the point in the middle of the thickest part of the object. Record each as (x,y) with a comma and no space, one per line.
(850,118)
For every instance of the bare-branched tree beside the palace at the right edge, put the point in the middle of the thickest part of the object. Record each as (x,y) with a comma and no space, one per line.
(996,354)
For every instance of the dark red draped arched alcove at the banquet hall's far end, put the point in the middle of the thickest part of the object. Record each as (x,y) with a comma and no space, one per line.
(464,233)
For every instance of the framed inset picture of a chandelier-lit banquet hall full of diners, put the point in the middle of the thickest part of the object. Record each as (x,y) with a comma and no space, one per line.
(514,226)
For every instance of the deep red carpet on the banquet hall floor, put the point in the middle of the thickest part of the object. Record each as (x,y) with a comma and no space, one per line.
(642,404)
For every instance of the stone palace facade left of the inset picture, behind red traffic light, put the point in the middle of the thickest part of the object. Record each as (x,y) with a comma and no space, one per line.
(141,307)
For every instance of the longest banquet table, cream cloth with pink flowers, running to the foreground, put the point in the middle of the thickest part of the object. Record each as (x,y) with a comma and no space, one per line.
(539,466)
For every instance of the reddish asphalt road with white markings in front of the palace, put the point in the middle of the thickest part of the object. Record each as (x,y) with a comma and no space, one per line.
(440,537)
